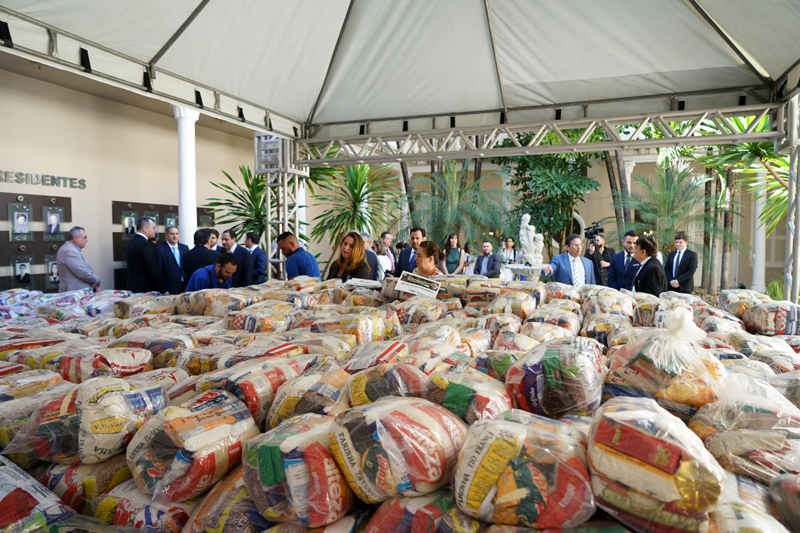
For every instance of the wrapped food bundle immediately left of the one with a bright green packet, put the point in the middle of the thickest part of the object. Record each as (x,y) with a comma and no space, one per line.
(182,452)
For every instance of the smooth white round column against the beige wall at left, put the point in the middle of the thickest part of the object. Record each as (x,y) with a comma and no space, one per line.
(187,173)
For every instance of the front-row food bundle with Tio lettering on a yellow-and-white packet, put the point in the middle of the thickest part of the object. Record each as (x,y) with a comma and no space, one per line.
(523,471)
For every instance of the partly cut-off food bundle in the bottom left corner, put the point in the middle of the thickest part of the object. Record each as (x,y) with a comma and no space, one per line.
(25,504)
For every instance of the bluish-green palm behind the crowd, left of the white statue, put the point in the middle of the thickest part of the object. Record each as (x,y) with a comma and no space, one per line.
(444,205)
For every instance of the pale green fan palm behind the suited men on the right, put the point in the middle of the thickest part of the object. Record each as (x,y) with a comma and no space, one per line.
(675,202)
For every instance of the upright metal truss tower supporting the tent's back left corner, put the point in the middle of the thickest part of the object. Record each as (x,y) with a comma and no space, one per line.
(274,159)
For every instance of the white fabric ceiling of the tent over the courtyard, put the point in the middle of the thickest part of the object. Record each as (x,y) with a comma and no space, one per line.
(409,58)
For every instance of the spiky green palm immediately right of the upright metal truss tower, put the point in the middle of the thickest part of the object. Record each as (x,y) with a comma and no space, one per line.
(360,197)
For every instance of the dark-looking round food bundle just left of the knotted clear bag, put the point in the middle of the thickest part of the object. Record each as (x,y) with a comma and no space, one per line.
(559,377)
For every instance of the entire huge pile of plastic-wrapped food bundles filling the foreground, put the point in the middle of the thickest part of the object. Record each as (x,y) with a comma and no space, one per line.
(311,406)
